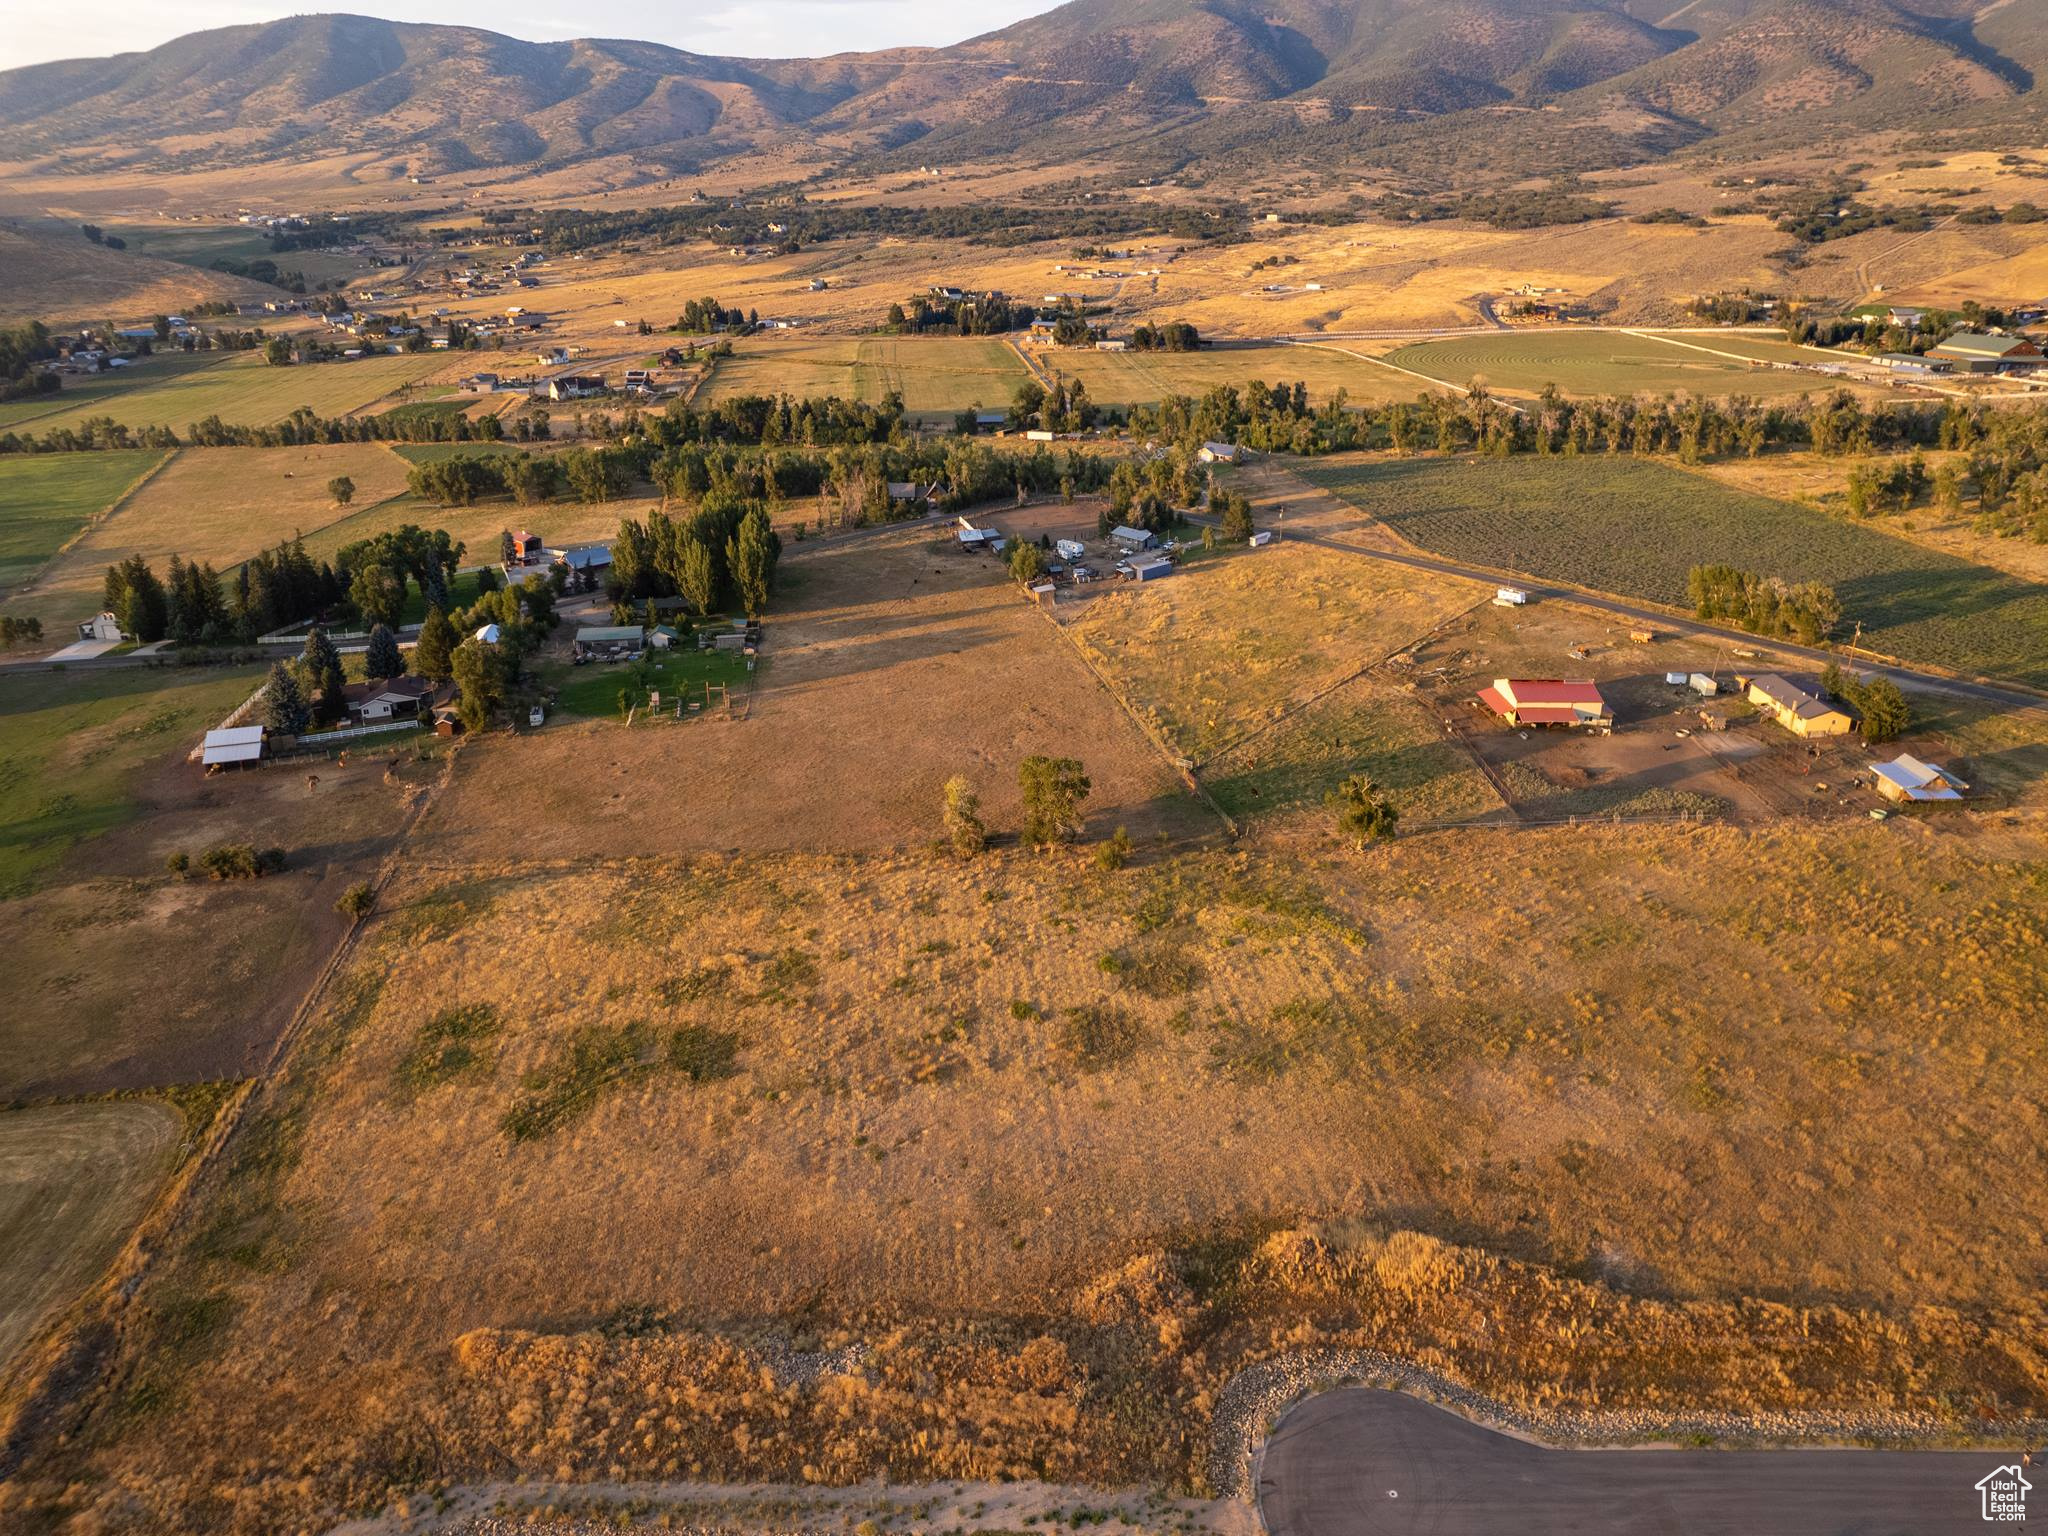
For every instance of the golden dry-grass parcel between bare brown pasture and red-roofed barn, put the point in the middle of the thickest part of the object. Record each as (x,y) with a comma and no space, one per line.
(1230,644)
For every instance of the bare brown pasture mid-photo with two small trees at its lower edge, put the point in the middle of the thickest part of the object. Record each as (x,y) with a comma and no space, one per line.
(890,665)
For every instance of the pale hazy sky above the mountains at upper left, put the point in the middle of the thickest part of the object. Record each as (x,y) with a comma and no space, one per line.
(36,30)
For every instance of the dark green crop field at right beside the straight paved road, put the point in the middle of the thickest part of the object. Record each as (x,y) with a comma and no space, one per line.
(1637,529)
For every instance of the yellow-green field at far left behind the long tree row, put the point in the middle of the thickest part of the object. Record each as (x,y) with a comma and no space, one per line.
(245,390)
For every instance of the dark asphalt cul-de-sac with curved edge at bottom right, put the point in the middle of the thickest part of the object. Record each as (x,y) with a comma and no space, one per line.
(1373,1463)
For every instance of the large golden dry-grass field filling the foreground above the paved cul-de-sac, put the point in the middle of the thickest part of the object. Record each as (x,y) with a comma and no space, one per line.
(1023,1125)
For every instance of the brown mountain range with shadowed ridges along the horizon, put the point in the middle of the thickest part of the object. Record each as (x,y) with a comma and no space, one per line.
(1510,83)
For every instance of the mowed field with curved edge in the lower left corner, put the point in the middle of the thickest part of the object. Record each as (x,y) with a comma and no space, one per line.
(75,1179)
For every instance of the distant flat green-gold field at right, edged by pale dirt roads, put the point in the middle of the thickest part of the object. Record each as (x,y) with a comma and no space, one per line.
(1598,364)
